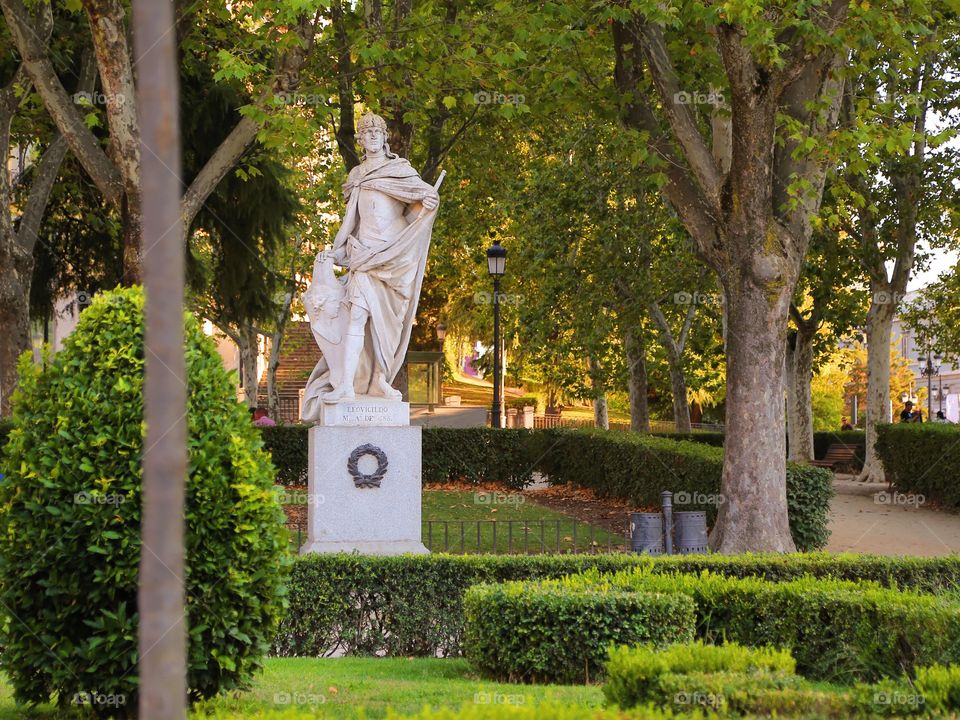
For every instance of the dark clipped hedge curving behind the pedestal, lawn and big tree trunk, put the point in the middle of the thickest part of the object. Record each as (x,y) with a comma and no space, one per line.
(629,466)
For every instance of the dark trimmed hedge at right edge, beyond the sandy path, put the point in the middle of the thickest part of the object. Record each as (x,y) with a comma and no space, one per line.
(923,459)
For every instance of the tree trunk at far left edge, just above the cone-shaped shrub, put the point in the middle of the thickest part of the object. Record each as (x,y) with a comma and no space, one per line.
(16,270)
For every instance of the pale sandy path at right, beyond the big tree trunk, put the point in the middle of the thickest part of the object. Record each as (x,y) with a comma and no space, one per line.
(866,518)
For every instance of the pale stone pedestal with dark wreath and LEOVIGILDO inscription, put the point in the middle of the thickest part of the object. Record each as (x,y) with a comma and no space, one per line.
(364,480)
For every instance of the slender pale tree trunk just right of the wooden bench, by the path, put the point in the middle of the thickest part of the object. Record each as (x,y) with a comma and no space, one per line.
(879,330)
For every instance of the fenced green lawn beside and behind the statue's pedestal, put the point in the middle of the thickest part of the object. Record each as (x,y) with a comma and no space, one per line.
(509,523)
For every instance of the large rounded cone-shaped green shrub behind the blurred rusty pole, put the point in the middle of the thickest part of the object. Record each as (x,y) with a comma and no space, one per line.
(70,509)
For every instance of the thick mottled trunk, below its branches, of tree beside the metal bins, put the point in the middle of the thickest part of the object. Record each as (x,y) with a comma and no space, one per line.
(754,514)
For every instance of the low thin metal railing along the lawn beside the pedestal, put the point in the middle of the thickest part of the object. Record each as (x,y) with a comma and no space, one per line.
(510,537)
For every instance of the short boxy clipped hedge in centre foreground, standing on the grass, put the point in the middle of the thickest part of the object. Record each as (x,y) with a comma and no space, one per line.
(524,632)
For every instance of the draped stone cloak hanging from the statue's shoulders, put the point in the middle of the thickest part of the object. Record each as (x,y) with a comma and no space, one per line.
(384,277)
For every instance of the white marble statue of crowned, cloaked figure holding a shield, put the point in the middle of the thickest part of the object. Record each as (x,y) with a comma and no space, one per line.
(362,320)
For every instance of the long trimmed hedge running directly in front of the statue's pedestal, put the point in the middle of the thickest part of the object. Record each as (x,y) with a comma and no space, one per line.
(413,605)
